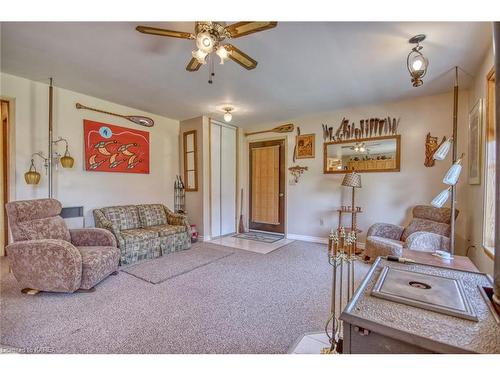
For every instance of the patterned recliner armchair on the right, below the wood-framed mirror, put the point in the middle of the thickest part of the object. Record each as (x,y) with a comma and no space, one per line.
(429,231)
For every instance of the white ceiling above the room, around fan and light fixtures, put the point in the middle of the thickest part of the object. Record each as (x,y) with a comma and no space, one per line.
(304,67)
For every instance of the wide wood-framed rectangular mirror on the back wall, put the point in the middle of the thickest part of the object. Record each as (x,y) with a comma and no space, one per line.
(379,154)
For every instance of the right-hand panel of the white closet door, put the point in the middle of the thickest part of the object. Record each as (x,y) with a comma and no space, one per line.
(228,180)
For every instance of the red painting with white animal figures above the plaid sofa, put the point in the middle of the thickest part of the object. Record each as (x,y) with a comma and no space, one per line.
(111,148)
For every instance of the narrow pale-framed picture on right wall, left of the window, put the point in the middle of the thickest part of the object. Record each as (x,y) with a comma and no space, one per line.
(474,147)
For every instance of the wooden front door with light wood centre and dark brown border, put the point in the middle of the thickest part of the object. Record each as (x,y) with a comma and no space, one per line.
(267,186)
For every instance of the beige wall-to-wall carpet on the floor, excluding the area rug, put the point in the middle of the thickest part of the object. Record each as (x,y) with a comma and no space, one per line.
(242,303)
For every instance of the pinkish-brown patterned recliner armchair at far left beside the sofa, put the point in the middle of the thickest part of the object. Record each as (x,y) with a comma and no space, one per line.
(46,256)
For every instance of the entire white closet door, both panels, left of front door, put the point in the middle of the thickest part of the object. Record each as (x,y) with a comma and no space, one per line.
(223,178)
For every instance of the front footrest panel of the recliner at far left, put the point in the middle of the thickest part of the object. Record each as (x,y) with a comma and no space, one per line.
(97,263)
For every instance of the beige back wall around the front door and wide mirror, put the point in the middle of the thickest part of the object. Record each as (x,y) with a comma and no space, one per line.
(384,197)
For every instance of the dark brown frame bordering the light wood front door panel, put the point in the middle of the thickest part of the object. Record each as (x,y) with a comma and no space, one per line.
(282,185)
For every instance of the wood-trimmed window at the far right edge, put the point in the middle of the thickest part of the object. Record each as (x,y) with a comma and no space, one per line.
(490,166)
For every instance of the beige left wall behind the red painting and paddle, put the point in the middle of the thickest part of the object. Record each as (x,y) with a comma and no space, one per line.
(75,186)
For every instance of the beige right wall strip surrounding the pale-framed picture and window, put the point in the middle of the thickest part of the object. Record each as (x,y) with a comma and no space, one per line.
(474,194)
